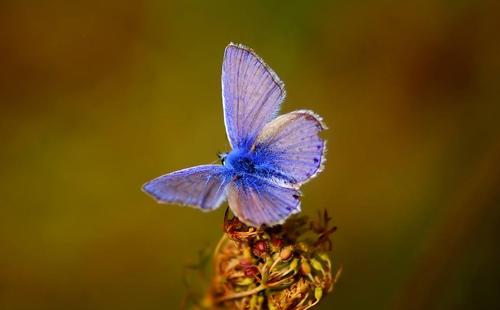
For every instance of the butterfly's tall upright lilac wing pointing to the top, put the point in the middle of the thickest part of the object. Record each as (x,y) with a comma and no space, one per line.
(251,94)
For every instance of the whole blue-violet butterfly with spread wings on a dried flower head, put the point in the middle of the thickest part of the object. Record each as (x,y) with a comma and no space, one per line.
(271,156)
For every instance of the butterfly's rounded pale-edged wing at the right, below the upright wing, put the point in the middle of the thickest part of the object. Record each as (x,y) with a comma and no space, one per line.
(298,152)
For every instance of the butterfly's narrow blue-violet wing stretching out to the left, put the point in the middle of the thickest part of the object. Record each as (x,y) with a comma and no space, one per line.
(201,186)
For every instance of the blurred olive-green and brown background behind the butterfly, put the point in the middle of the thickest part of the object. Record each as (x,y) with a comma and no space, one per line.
(97,97)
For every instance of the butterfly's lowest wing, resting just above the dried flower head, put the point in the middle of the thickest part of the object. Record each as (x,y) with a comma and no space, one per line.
(256,201)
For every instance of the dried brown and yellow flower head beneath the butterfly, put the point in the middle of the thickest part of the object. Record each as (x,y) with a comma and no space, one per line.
(280,267)
